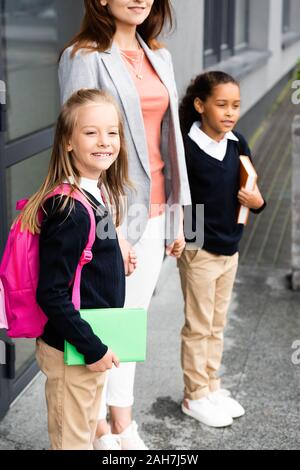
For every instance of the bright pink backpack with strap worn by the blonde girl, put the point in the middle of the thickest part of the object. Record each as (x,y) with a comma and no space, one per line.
(19,272)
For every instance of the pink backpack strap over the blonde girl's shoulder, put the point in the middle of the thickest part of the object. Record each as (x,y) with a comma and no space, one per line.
(87,254)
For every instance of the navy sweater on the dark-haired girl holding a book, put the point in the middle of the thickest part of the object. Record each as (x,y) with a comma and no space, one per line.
(216,185)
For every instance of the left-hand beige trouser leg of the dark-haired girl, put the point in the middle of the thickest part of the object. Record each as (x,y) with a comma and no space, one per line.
(199,271)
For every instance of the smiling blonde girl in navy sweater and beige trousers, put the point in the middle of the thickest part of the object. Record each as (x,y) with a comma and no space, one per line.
(89,150)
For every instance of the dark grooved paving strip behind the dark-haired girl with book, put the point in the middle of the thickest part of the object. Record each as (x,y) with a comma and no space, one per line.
(267,239)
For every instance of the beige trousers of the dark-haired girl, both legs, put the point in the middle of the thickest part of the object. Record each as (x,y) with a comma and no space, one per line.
(207,282)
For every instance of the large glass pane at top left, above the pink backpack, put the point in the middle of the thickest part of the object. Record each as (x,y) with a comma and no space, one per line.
(34,34)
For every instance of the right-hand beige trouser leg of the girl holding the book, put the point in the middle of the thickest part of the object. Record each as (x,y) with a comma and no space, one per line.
(224,287)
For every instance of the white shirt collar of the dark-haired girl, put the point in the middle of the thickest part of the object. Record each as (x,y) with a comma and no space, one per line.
(211,147)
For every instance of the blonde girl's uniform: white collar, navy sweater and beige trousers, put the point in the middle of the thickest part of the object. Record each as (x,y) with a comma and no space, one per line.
(73,392)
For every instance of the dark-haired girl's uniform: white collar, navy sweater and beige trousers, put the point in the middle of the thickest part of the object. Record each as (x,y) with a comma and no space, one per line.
(207,273)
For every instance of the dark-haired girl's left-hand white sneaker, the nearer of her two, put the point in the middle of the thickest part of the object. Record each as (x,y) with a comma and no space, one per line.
(206,412)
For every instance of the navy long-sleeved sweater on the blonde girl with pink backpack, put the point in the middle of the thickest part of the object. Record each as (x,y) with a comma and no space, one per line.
(62,240)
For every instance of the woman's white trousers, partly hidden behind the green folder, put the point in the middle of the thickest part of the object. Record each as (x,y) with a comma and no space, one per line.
(119,385)
